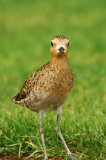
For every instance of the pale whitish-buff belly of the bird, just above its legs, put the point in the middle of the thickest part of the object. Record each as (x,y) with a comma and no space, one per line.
(43,100)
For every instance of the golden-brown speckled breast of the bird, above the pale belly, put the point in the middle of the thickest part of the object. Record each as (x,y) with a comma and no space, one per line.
(54,83)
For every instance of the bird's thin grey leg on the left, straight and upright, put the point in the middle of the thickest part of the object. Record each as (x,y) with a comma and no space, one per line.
(42,134)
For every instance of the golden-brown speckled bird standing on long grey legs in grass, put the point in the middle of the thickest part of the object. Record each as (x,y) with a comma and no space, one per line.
(49,86)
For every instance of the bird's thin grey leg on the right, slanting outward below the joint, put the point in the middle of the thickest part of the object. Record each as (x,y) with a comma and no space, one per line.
(60,134)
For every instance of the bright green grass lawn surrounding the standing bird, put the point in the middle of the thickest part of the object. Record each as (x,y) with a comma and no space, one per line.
(26,28)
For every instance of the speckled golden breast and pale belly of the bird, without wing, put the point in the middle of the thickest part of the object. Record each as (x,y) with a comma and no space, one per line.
(51,88)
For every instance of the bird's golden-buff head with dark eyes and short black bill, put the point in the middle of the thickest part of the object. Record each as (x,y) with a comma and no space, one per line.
(59,46)
